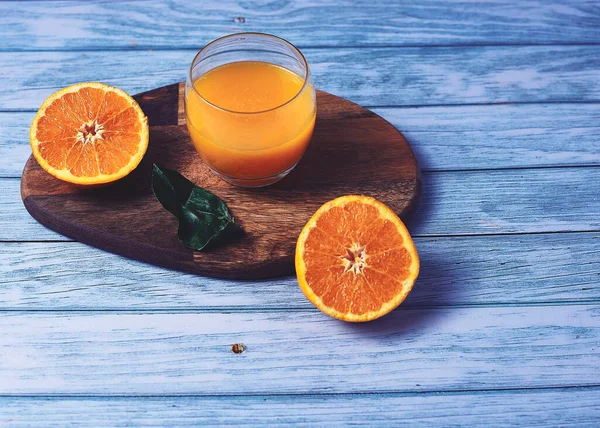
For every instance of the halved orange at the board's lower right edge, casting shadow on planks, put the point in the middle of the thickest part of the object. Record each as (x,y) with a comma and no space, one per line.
(355,260)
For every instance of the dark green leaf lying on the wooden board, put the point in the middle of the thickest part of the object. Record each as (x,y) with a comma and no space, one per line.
(202,216)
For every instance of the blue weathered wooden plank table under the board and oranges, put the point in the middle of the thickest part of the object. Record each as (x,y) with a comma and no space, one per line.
(501,102)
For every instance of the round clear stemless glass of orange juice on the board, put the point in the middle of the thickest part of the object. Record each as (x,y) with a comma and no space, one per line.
(250,107)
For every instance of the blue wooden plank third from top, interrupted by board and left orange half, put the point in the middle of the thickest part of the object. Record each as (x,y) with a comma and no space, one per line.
(443,138)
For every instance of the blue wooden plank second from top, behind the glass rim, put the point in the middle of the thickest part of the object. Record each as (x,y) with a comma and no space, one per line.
(370,77)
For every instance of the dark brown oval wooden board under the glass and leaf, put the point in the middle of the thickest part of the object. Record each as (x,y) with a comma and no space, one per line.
(353,151)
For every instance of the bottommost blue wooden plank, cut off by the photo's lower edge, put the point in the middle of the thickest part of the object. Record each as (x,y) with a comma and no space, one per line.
(548,408)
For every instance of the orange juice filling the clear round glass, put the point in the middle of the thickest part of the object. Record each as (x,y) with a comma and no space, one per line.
(251,120)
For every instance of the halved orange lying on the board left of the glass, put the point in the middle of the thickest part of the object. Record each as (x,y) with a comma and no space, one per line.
(89,133)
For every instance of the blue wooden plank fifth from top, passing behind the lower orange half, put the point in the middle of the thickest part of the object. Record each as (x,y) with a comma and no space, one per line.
(499,270)
